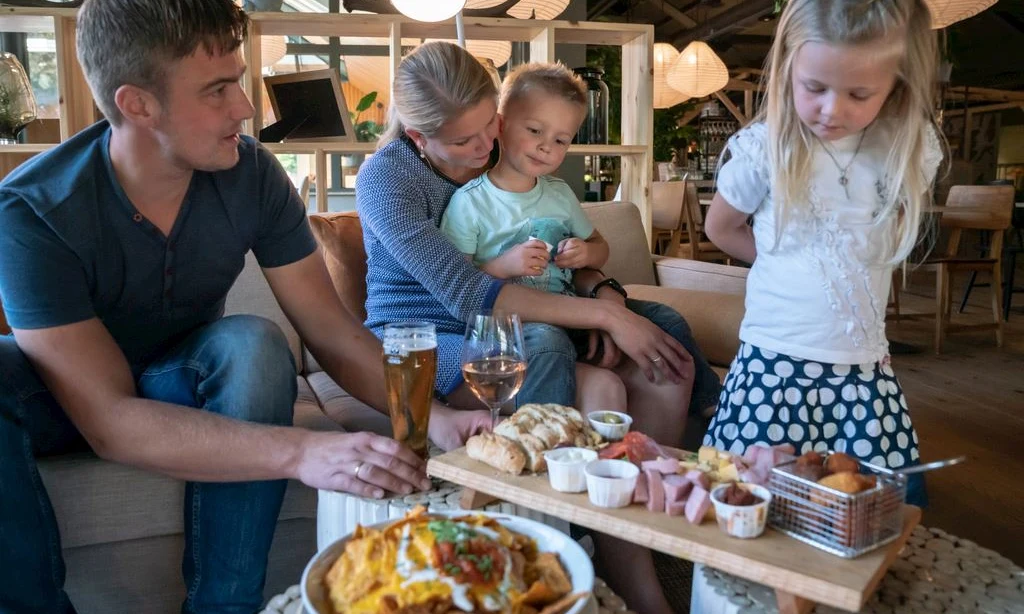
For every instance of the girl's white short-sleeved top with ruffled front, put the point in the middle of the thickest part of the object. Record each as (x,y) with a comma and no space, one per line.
(822,293)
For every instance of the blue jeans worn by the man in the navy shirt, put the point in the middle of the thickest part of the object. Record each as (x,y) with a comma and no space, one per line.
(241,368)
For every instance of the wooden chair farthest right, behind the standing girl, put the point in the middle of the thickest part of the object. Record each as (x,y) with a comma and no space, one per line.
(971,208)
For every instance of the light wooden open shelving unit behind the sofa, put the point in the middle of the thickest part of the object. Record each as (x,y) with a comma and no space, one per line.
(636,40)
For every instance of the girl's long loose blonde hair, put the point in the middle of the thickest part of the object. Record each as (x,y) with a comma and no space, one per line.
(904,25)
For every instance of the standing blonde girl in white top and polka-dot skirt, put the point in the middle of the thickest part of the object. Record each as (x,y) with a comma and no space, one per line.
(836,171)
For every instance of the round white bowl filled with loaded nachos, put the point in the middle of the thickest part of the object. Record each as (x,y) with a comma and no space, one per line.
(450,563)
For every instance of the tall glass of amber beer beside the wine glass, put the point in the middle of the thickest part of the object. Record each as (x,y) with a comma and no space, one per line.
(410,369)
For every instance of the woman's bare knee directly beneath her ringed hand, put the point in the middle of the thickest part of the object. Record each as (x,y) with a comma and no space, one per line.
(658,410)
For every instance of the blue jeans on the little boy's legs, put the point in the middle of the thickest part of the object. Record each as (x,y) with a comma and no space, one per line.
(551,358)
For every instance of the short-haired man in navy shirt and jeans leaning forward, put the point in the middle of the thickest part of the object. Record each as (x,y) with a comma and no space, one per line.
(117,251)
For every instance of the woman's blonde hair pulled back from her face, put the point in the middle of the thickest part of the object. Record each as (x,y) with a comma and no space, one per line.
(435,84)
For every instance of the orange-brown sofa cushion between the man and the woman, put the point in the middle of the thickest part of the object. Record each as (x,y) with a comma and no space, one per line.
(340,237)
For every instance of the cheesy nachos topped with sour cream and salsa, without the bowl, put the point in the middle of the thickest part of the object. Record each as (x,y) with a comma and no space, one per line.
(439,565)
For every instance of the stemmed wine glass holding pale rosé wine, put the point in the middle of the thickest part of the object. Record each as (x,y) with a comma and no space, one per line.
(494,359)
